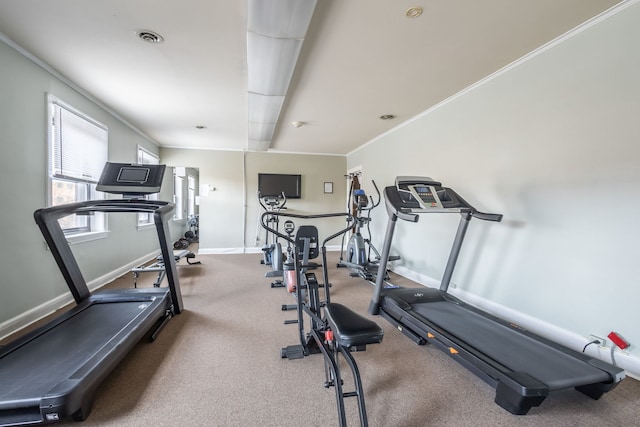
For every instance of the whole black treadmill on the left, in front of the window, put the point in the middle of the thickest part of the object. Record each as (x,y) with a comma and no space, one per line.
(52,373)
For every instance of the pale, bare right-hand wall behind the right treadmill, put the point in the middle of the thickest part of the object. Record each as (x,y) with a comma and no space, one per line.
(553,144)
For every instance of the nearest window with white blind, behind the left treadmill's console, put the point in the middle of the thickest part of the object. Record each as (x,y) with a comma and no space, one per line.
(77,151)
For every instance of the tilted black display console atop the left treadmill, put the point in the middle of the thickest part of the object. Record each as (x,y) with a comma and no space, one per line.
(127,178)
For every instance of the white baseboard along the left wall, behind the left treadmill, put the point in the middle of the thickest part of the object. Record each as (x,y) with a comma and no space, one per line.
(25,319)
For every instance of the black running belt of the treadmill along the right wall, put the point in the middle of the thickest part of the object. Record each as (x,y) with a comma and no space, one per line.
(507,346)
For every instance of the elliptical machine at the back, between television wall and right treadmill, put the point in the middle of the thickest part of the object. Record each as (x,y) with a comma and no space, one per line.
(357,256)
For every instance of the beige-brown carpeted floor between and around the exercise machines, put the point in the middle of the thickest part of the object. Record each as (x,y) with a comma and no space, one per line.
(218,364)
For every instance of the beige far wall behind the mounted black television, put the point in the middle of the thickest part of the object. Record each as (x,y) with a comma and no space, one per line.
(229,214)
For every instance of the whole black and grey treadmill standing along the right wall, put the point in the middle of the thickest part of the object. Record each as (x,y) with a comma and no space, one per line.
(523,367)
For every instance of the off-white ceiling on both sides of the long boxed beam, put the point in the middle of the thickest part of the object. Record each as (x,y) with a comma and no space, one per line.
(360,59)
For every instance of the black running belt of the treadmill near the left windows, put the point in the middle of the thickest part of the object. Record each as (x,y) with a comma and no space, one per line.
(64,351)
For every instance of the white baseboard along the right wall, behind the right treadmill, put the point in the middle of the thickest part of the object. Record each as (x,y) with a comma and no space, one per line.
(569,339)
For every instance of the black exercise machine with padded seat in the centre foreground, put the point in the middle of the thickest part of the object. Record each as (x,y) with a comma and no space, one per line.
(335,330)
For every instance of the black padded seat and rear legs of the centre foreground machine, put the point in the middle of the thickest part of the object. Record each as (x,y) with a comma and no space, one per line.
(348,331)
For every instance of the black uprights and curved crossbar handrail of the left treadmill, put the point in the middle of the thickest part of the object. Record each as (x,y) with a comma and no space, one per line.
(47,220)
